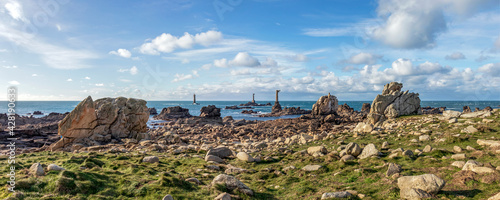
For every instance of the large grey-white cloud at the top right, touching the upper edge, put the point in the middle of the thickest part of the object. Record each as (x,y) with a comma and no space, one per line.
(416,23)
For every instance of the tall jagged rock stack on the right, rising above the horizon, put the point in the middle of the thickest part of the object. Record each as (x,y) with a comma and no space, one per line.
(393,103)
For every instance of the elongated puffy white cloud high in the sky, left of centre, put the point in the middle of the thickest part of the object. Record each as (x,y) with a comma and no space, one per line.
(167,43)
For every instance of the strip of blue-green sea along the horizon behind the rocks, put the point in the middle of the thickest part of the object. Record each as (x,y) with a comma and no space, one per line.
(26,108)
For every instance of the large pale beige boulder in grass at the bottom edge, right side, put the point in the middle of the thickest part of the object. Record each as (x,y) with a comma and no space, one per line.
(422,186)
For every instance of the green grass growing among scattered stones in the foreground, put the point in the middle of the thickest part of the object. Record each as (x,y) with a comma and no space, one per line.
(124,176)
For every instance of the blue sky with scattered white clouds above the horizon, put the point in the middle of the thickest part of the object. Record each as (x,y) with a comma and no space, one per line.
(229,49)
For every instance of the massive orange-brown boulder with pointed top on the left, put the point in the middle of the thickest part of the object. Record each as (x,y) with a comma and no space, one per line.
(97,122)
